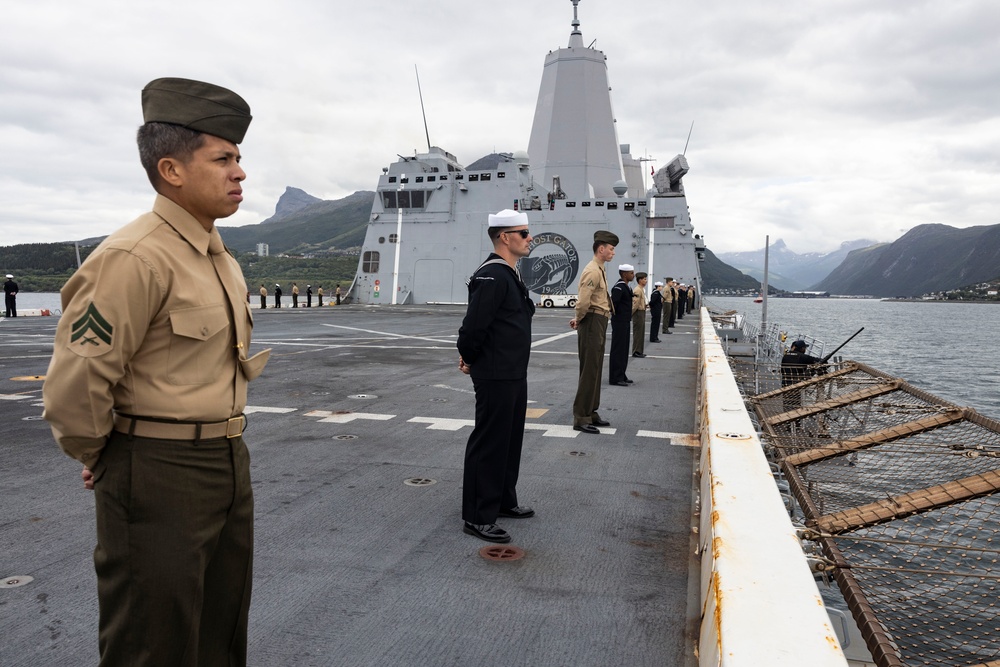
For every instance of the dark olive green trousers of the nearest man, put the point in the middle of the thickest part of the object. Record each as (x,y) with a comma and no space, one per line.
(174,556)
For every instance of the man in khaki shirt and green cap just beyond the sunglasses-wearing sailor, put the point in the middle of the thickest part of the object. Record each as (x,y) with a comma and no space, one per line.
(593,307)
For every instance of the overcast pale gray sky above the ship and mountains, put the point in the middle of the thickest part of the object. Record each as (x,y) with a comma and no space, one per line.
(816,121)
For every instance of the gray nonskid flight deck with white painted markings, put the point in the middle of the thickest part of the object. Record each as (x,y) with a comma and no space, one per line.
(355,567)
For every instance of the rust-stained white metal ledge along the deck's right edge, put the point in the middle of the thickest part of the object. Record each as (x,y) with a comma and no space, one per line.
(759,602)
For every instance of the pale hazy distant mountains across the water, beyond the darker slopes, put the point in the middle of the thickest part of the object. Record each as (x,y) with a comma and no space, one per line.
(787,269)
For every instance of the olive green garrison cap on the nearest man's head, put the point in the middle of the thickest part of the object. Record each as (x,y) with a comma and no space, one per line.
(199,106)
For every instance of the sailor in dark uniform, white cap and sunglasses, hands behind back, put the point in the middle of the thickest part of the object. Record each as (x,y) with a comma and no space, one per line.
(494,344)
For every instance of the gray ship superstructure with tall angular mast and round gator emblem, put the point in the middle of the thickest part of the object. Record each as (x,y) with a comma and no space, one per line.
(426,233)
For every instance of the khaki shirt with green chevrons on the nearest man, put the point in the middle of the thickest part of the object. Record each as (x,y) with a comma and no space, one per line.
(154,324)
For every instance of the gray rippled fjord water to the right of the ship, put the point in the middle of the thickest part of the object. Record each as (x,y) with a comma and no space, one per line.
(945,348)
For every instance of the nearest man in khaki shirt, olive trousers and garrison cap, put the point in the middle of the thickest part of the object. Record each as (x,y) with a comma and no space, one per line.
(147,386)
